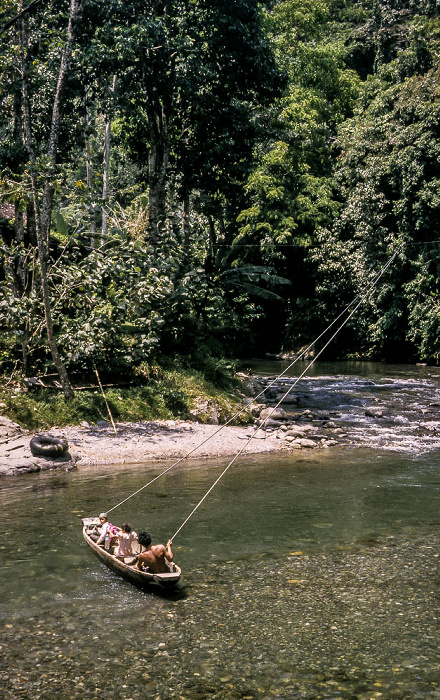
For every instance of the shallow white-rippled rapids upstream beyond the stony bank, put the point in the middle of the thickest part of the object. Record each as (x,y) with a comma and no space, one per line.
(390,407)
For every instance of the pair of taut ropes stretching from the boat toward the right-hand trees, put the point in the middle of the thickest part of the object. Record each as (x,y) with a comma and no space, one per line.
(358,301)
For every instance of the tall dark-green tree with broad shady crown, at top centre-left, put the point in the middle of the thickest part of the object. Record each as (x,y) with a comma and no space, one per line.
(193,75)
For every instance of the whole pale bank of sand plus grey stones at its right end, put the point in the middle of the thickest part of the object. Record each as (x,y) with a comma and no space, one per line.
(145,441)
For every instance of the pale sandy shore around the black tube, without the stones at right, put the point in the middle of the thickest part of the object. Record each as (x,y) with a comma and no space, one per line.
(133,443)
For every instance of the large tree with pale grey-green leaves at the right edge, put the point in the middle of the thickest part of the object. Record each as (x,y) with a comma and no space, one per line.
(388,177)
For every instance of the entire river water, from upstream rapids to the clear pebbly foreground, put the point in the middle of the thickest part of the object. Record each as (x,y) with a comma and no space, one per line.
(311,574)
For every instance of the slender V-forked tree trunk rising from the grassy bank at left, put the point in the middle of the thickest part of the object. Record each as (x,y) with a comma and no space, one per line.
(43,214)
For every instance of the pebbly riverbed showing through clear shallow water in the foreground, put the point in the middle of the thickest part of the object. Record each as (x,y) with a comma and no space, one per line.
(356,624)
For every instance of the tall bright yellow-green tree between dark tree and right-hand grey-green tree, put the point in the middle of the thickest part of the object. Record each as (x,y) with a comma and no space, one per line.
(289,193)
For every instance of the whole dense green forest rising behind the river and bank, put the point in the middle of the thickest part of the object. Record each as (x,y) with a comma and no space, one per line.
(227,177)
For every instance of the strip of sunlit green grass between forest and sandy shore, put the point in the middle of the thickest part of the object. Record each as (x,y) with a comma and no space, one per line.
(172,395)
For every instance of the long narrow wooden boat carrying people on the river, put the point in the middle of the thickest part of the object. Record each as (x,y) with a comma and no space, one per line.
(126,567)
